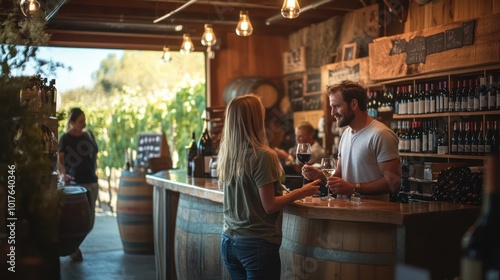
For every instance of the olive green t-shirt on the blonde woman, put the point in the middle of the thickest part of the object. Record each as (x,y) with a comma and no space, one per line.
(243,211)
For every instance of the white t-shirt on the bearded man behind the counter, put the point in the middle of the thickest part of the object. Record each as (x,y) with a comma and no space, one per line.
(361,152)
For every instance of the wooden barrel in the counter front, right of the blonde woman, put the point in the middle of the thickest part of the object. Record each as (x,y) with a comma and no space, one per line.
(313,248)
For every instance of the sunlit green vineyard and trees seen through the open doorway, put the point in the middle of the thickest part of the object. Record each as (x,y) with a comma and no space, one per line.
(154,97)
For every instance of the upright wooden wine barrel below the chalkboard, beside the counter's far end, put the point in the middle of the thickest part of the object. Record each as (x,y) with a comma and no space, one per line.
(134,213)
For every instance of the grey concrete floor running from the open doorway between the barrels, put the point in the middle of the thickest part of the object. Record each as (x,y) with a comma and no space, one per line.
(103,255)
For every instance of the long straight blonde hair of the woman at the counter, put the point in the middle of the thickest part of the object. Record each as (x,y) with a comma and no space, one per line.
(244,127)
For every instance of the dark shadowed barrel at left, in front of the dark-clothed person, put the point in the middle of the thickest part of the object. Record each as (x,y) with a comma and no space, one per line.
(75,221)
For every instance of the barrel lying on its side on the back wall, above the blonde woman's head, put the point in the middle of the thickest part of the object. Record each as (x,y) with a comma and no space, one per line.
(259,86)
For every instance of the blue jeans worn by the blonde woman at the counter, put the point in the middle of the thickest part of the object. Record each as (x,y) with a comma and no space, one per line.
(250,258)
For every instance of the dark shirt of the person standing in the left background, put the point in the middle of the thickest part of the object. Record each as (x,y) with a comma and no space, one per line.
(80,155)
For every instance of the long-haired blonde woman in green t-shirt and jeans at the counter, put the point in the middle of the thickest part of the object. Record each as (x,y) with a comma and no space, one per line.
(250,172)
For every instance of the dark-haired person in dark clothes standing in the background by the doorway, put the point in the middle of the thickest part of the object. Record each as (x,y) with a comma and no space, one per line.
(76,158)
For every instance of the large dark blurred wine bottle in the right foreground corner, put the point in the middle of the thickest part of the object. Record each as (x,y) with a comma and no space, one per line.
(480,244)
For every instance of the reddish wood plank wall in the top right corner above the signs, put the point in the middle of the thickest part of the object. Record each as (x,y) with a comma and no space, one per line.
(439,12)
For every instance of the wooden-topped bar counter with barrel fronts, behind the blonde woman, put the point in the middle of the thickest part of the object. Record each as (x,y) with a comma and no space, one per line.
(321,240)
